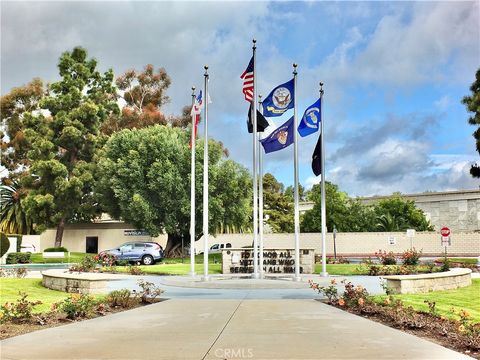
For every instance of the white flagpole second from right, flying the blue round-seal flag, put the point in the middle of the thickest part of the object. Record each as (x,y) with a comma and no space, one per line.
(295,162)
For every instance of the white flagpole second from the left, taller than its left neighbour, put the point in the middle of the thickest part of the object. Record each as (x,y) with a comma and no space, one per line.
(205,179)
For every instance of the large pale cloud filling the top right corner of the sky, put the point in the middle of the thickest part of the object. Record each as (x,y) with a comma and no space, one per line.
(400,52)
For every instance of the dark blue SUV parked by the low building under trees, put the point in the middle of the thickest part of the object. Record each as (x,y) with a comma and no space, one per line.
(145,252)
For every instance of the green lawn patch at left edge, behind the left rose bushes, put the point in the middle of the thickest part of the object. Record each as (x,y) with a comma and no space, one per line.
(9,289)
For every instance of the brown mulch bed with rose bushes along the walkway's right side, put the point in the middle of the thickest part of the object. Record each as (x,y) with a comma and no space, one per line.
(436,329)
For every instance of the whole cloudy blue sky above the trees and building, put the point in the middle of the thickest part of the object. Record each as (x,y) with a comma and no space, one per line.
(394,74)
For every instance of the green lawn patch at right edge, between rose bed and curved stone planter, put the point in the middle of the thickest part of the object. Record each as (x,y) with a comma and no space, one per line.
(466,298)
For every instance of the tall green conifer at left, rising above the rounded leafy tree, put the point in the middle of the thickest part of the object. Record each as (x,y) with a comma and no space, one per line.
(63,140)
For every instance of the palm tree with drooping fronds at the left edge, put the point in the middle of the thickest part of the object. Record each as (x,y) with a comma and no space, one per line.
(14,219)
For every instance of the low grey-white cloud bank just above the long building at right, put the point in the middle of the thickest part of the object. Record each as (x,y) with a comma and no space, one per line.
(386,174)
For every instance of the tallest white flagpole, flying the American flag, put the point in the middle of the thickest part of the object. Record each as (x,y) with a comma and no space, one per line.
(255,180)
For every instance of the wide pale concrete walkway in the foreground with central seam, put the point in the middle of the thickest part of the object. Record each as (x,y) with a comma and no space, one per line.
(225,329)
